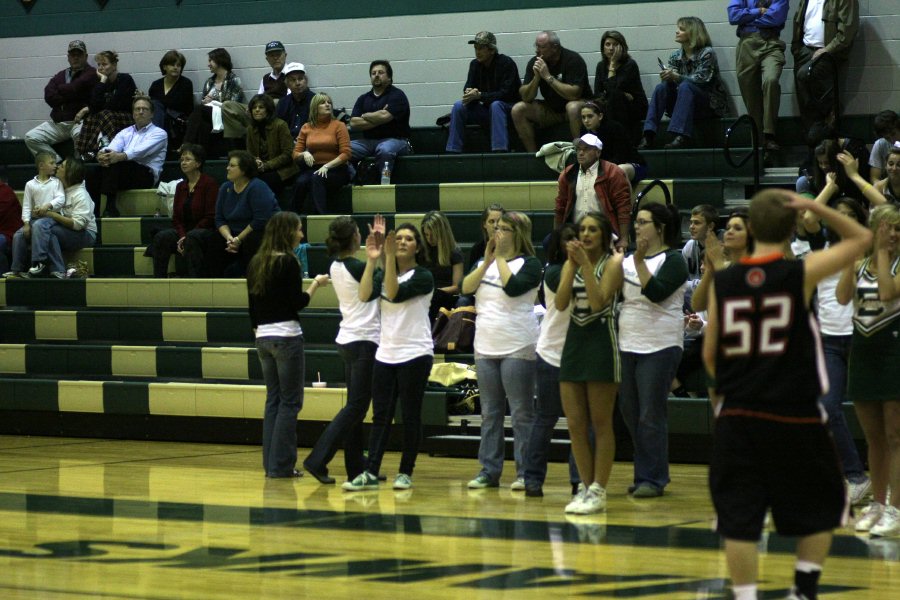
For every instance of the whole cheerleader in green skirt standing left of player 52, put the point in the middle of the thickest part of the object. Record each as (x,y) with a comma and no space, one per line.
(589,372)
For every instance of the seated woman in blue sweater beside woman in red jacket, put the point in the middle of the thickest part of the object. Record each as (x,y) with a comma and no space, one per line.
(244,206)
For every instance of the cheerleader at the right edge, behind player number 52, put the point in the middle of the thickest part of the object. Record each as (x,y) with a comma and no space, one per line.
(873,285)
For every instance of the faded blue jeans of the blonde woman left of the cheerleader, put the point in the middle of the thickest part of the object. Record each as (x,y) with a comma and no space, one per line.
(499,380)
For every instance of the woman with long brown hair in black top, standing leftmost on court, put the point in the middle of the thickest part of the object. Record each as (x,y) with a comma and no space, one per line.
(274,287)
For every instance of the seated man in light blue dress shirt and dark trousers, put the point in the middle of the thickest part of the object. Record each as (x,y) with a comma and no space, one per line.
(132,160)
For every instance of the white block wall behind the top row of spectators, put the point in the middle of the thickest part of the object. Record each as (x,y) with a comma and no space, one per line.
(430,54)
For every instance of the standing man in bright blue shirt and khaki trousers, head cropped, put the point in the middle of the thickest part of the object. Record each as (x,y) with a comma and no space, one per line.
(759,59)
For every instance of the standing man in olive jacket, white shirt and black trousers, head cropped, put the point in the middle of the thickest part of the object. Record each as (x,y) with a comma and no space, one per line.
(821,27)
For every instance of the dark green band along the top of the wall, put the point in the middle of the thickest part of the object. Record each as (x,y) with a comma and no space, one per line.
(54,17)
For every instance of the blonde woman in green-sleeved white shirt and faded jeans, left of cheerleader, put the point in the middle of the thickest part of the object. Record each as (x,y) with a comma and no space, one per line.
(505,284)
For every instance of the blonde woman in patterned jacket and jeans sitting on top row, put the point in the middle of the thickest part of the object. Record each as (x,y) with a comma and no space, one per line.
(691,86)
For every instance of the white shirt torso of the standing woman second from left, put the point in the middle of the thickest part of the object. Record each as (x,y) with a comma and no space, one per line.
(360,321)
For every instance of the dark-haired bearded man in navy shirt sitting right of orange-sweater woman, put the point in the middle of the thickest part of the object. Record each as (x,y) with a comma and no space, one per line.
(382,114)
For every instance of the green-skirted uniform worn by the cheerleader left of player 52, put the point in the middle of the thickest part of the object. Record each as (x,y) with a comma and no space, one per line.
(591,352)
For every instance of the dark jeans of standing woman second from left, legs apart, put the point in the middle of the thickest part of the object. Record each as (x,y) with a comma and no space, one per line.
(346,427)
